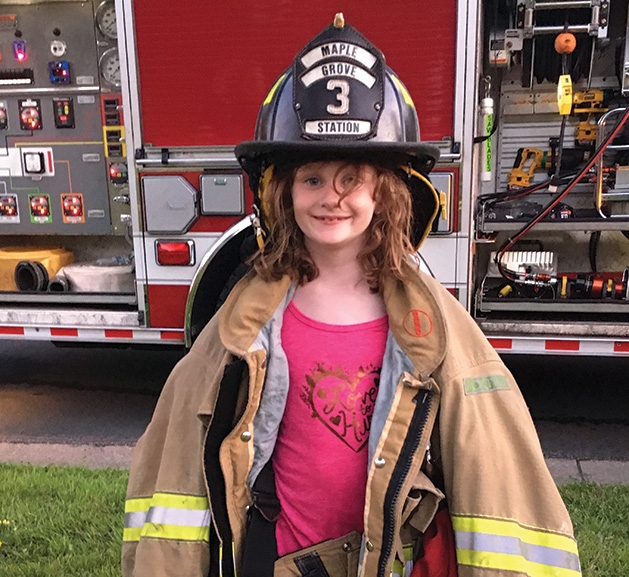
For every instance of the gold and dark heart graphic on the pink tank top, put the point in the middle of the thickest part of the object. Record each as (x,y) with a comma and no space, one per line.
(344,403)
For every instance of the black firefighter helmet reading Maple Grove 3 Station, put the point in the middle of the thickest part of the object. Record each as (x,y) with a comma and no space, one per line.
(340,100)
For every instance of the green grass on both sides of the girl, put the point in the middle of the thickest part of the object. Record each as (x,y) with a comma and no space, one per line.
(67,521)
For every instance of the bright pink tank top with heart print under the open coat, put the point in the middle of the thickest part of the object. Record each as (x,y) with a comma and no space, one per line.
(320,459)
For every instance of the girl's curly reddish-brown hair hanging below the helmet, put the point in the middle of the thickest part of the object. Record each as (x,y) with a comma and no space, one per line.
(387,244)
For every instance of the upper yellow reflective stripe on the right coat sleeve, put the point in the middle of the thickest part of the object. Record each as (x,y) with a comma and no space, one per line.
(508,528)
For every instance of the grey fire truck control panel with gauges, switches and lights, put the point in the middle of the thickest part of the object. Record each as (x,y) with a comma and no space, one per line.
(62,148)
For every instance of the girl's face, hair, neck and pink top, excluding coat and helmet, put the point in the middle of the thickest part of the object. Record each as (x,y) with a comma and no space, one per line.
(330,219)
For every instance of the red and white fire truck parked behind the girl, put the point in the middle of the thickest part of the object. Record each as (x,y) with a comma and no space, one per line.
(123,209)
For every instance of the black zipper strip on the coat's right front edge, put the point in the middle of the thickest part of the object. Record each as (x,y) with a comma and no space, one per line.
(400,472)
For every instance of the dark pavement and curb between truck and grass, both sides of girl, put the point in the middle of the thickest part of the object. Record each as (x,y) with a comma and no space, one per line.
(583,431)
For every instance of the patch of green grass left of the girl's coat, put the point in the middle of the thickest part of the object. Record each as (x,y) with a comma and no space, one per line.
(63,521)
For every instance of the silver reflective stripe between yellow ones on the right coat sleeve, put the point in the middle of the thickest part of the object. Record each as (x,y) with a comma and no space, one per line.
(514,546)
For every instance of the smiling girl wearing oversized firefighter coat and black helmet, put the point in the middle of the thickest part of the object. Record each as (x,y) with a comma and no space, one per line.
(341,414)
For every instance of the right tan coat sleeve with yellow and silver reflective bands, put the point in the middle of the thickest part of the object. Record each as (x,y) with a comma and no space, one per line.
(507,514)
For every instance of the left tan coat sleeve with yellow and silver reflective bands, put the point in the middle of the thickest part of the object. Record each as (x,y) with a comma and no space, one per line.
(167,515)
